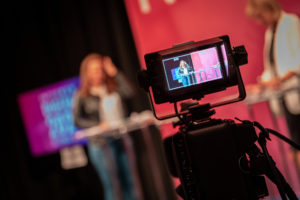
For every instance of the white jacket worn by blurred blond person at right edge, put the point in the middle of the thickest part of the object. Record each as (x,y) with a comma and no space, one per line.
(286,58)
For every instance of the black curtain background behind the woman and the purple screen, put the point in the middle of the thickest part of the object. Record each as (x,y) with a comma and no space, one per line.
(46,42)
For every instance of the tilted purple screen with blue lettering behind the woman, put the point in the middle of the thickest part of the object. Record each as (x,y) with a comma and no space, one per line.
(47,116)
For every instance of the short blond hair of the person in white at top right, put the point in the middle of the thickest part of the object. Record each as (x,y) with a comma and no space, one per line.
(256,7)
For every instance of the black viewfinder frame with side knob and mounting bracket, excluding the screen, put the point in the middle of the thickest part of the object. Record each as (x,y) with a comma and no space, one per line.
(153,79)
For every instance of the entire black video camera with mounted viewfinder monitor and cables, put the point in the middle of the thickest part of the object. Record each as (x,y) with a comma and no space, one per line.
(214,158)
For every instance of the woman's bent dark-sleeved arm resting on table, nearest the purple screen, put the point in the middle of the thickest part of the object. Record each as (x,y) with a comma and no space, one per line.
(79,119)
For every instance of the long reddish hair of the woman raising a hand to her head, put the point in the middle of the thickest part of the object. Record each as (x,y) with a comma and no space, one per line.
(84,89)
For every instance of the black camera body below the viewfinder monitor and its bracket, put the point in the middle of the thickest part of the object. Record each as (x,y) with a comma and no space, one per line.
(210,160)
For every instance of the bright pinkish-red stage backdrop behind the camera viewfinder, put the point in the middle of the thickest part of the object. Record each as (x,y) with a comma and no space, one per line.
(159,24)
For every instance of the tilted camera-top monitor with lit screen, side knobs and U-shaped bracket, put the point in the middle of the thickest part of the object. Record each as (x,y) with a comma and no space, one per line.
(156,78)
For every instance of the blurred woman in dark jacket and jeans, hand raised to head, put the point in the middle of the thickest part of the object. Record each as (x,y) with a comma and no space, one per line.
(98,102)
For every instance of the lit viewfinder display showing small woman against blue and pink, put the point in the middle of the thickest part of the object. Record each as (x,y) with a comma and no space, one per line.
(192,68)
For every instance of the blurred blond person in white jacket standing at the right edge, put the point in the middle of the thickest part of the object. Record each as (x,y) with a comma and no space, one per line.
(281,60)
